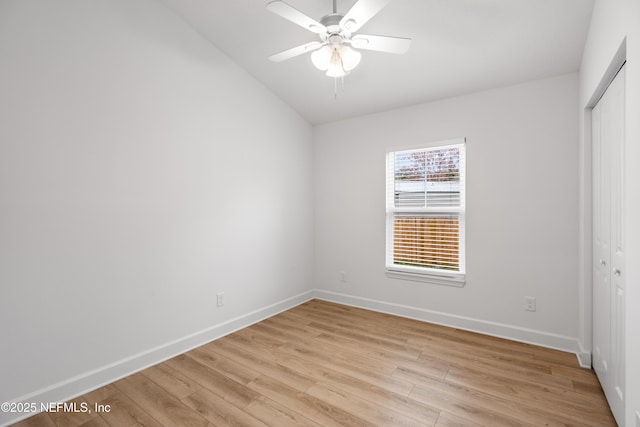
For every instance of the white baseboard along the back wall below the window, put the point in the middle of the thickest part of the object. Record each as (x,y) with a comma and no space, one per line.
(529,336)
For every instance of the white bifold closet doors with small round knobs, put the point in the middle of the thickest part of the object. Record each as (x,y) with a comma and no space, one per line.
(608,243)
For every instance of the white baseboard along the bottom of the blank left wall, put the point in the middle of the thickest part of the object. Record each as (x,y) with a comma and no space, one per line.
(88,381)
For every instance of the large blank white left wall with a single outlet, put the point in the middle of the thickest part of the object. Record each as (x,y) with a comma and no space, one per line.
(141,172)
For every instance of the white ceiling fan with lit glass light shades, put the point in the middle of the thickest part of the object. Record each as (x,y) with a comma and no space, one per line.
(335,53)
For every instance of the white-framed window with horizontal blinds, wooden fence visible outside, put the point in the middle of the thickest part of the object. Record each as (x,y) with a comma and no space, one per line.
(425,213)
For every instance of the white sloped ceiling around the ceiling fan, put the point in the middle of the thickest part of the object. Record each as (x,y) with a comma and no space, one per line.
(459,46)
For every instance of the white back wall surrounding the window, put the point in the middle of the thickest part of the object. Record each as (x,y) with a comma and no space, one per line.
(522,206)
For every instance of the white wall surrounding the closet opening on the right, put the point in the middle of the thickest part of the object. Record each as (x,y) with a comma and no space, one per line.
(614,22)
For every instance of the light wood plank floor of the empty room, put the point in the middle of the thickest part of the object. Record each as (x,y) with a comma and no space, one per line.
(324,364)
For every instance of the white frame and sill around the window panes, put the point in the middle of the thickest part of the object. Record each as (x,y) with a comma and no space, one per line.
(424,274)
